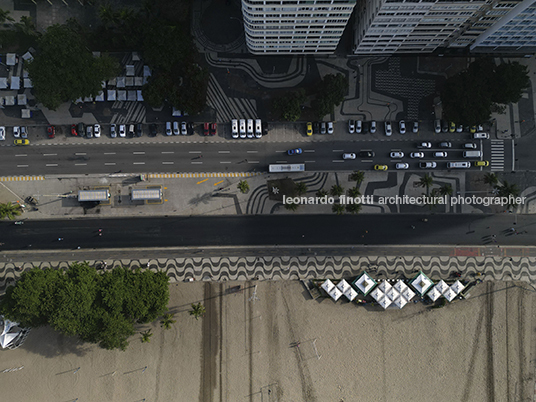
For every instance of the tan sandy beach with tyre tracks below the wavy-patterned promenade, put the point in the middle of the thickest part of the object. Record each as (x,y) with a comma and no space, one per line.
(244,349)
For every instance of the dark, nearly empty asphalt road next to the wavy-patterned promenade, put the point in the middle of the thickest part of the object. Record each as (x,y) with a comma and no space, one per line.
(295,230)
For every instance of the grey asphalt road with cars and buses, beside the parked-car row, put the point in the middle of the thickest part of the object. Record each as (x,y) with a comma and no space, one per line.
(135,156)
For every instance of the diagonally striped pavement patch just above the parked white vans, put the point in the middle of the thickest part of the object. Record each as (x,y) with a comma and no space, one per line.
(229,108)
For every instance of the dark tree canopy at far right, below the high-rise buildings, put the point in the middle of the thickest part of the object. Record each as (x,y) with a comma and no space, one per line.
(470,97)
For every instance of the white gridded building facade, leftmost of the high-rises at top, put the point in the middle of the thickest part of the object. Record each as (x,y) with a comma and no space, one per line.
(295,26)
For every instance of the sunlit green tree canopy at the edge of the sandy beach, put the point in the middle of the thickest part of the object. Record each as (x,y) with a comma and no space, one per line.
(97,307)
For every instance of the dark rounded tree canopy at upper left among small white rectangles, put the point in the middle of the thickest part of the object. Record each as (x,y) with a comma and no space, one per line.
(64,69)
